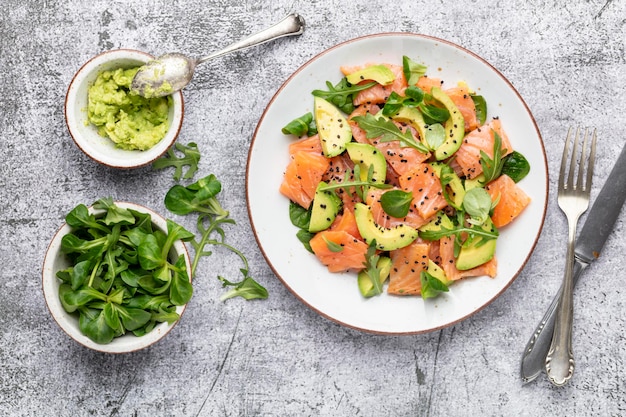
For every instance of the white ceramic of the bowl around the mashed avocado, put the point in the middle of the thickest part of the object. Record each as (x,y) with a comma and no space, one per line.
(85,135)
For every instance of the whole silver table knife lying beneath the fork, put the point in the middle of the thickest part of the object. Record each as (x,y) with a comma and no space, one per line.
(597,228)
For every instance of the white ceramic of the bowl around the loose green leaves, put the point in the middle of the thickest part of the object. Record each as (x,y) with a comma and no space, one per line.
(55,261)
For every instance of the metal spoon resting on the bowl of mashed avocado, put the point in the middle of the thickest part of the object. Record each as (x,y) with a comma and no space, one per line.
(172,72)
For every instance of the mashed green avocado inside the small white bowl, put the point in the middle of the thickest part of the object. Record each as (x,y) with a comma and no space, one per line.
(131,121)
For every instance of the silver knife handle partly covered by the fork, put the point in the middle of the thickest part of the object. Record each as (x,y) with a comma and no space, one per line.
(536,350)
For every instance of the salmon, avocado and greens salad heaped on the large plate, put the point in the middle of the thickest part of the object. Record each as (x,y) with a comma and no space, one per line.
(402,179)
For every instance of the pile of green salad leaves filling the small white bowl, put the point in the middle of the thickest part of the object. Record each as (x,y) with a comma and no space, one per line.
(122,277)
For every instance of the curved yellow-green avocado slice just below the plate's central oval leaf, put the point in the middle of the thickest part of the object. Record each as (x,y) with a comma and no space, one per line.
(386,238)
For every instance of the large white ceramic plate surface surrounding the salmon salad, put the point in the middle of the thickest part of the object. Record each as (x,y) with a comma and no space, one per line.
(336,296)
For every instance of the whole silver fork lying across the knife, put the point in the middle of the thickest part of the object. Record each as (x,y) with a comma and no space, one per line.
(573,199)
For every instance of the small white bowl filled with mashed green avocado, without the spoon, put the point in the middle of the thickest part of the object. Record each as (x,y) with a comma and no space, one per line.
(113,126)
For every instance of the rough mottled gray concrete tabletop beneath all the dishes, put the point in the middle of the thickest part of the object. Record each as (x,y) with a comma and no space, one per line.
(276,357)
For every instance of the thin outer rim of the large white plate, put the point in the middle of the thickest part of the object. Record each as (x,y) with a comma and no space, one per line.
(462,49)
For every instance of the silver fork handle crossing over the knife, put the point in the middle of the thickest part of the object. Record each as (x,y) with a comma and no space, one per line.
(560,359)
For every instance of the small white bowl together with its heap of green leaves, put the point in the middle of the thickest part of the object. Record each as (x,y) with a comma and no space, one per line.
(116,276)
